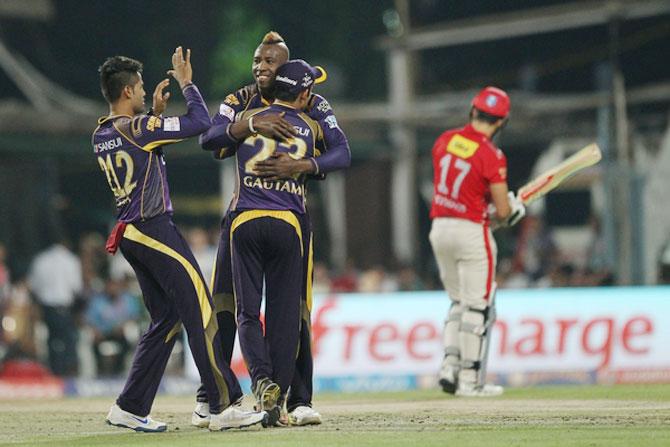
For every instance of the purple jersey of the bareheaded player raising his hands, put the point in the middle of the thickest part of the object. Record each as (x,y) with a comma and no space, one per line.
(130,154)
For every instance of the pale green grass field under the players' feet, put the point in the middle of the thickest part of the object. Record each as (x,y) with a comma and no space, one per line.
(547,416)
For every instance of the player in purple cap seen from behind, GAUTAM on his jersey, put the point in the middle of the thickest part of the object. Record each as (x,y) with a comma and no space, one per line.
(267,244)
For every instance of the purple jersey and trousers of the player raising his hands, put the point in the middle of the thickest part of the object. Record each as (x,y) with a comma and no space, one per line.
(130,153)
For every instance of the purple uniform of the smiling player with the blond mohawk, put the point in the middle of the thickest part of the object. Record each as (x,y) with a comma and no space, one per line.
(332,153)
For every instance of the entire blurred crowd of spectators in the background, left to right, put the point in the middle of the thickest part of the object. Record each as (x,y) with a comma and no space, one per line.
(79,312)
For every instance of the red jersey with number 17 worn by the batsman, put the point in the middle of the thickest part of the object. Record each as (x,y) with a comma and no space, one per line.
(465,163)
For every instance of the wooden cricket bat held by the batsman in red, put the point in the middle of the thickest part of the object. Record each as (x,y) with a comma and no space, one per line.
(550,179)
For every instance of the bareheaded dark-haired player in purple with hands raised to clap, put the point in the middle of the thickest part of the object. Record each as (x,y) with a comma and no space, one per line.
(129,146)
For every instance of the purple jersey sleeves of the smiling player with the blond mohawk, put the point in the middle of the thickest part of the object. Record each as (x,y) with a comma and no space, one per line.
(333,152)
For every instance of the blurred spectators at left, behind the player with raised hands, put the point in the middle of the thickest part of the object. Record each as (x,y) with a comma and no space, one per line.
(79,311)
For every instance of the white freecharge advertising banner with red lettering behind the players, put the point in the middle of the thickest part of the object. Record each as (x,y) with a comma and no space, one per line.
(587,335)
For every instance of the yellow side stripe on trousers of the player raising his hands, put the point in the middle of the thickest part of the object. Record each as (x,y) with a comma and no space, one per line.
(209,324)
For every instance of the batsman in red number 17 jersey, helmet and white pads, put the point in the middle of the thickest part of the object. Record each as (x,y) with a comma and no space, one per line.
(470,173)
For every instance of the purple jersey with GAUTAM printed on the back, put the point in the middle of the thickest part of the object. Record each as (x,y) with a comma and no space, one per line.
(253,192)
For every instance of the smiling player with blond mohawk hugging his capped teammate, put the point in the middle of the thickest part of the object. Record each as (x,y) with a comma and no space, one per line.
(221,138)
